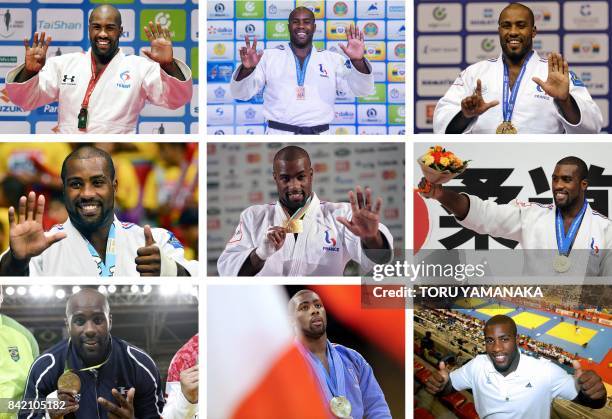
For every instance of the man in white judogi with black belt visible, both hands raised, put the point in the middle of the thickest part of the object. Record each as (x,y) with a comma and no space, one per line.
(301,82)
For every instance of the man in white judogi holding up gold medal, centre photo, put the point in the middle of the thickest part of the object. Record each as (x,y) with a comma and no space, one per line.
(301,235)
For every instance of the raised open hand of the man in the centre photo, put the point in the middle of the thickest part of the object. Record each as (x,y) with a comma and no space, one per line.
(365,219)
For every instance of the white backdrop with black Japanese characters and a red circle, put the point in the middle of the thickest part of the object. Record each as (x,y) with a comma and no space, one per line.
(503,173)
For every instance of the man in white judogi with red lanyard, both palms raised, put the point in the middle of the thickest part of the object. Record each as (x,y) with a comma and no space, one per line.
(110,104)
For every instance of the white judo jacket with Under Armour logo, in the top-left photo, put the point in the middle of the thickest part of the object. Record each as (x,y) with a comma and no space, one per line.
(128,82)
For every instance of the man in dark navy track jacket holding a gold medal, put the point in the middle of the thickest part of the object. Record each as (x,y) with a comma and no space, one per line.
(91,368)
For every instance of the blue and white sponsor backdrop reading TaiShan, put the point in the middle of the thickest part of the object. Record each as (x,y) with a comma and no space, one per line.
(66,22)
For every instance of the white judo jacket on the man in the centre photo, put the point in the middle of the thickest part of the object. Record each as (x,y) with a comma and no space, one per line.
(323,248)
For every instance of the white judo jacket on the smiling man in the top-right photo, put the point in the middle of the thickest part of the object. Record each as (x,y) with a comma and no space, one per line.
(534,112)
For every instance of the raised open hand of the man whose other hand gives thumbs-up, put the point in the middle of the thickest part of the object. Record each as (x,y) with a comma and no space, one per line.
(27,237)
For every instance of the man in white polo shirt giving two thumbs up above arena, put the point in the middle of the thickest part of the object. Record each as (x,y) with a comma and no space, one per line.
(511,385)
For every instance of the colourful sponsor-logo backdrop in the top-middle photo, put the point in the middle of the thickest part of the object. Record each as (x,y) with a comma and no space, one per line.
(383,23)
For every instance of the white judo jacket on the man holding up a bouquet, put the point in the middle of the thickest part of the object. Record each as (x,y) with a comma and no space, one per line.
(533,226)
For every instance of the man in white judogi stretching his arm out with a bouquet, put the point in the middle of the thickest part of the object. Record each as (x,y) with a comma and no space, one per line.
(569,224)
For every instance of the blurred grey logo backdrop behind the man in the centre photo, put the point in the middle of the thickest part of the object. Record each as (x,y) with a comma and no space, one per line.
(240,175)
